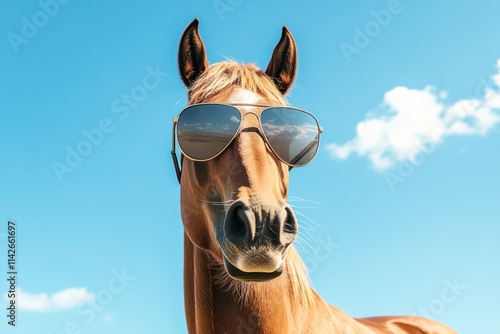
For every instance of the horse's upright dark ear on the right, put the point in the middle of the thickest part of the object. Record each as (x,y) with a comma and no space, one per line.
(283,64)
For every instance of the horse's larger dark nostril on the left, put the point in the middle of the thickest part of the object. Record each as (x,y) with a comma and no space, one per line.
(238,224)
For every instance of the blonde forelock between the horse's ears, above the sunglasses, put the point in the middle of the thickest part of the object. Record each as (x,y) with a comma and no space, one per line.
(227,75)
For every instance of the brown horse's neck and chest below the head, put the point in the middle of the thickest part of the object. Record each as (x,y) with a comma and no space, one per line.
(215,303)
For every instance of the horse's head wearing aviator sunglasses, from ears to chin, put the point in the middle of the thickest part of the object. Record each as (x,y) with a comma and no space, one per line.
(239,140)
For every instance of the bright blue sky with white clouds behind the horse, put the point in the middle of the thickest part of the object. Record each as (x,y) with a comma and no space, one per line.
(387,227)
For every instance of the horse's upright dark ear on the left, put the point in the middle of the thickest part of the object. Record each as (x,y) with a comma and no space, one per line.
(192,57)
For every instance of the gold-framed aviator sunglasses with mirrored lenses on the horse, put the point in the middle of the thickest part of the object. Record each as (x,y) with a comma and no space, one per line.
(205,130)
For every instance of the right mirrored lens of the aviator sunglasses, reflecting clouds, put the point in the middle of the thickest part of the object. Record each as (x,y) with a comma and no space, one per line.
(292,134)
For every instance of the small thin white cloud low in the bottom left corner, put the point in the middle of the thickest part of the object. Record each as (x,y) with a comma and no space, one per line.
(65,299)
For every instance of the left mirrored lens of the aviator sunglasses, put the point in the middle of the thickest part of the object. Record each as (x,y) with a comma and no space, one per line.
(203,131)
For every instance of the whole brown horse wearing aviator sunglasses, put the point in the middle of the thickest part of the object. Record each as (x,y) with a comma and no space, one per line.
(241,271)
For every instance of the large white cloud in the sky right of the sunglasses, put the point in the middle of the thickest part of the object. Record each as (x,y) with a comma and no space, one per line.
(409,119)
